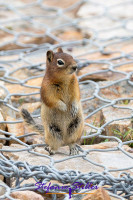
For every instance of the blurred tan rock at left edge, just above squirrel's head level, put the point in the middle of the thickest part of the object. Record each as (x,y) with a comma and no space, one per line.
(8,39)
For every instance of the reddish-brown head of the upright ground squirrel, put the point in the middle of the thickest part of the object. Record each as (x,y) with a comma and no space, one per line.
(60,63)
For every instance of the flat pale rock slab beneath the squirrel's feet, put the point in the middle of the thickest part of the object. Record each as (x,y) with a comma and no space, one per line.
(116,159)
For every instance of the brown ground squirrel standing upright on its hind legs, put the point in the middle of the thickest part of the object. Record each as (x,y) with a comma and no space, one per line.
(61,110)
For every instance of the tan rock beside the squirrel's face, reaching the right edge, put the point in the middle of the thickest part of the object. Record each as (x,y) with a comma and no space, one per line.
(102,76)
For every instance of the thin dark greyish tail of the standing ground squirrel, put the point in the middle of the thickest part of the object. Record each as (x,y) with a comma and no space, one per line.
(28,119)
